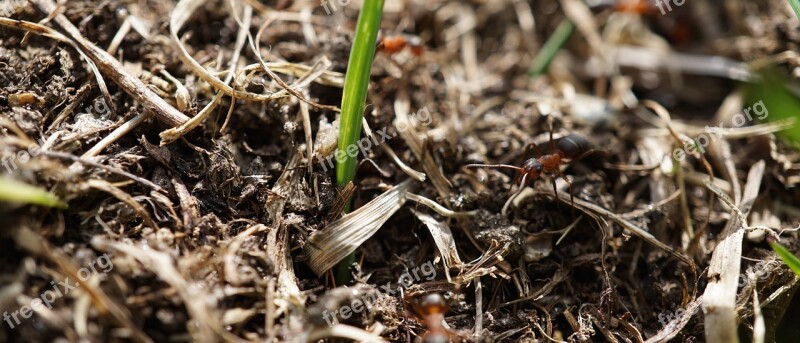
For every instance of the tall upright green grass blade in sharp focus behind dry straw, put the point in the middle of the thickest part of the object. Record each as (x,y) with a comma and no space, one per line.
(356,82)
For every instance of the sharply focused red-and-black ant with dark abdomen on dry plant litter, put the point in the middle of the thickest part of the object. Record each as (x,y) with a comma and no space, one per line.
(571,147)
